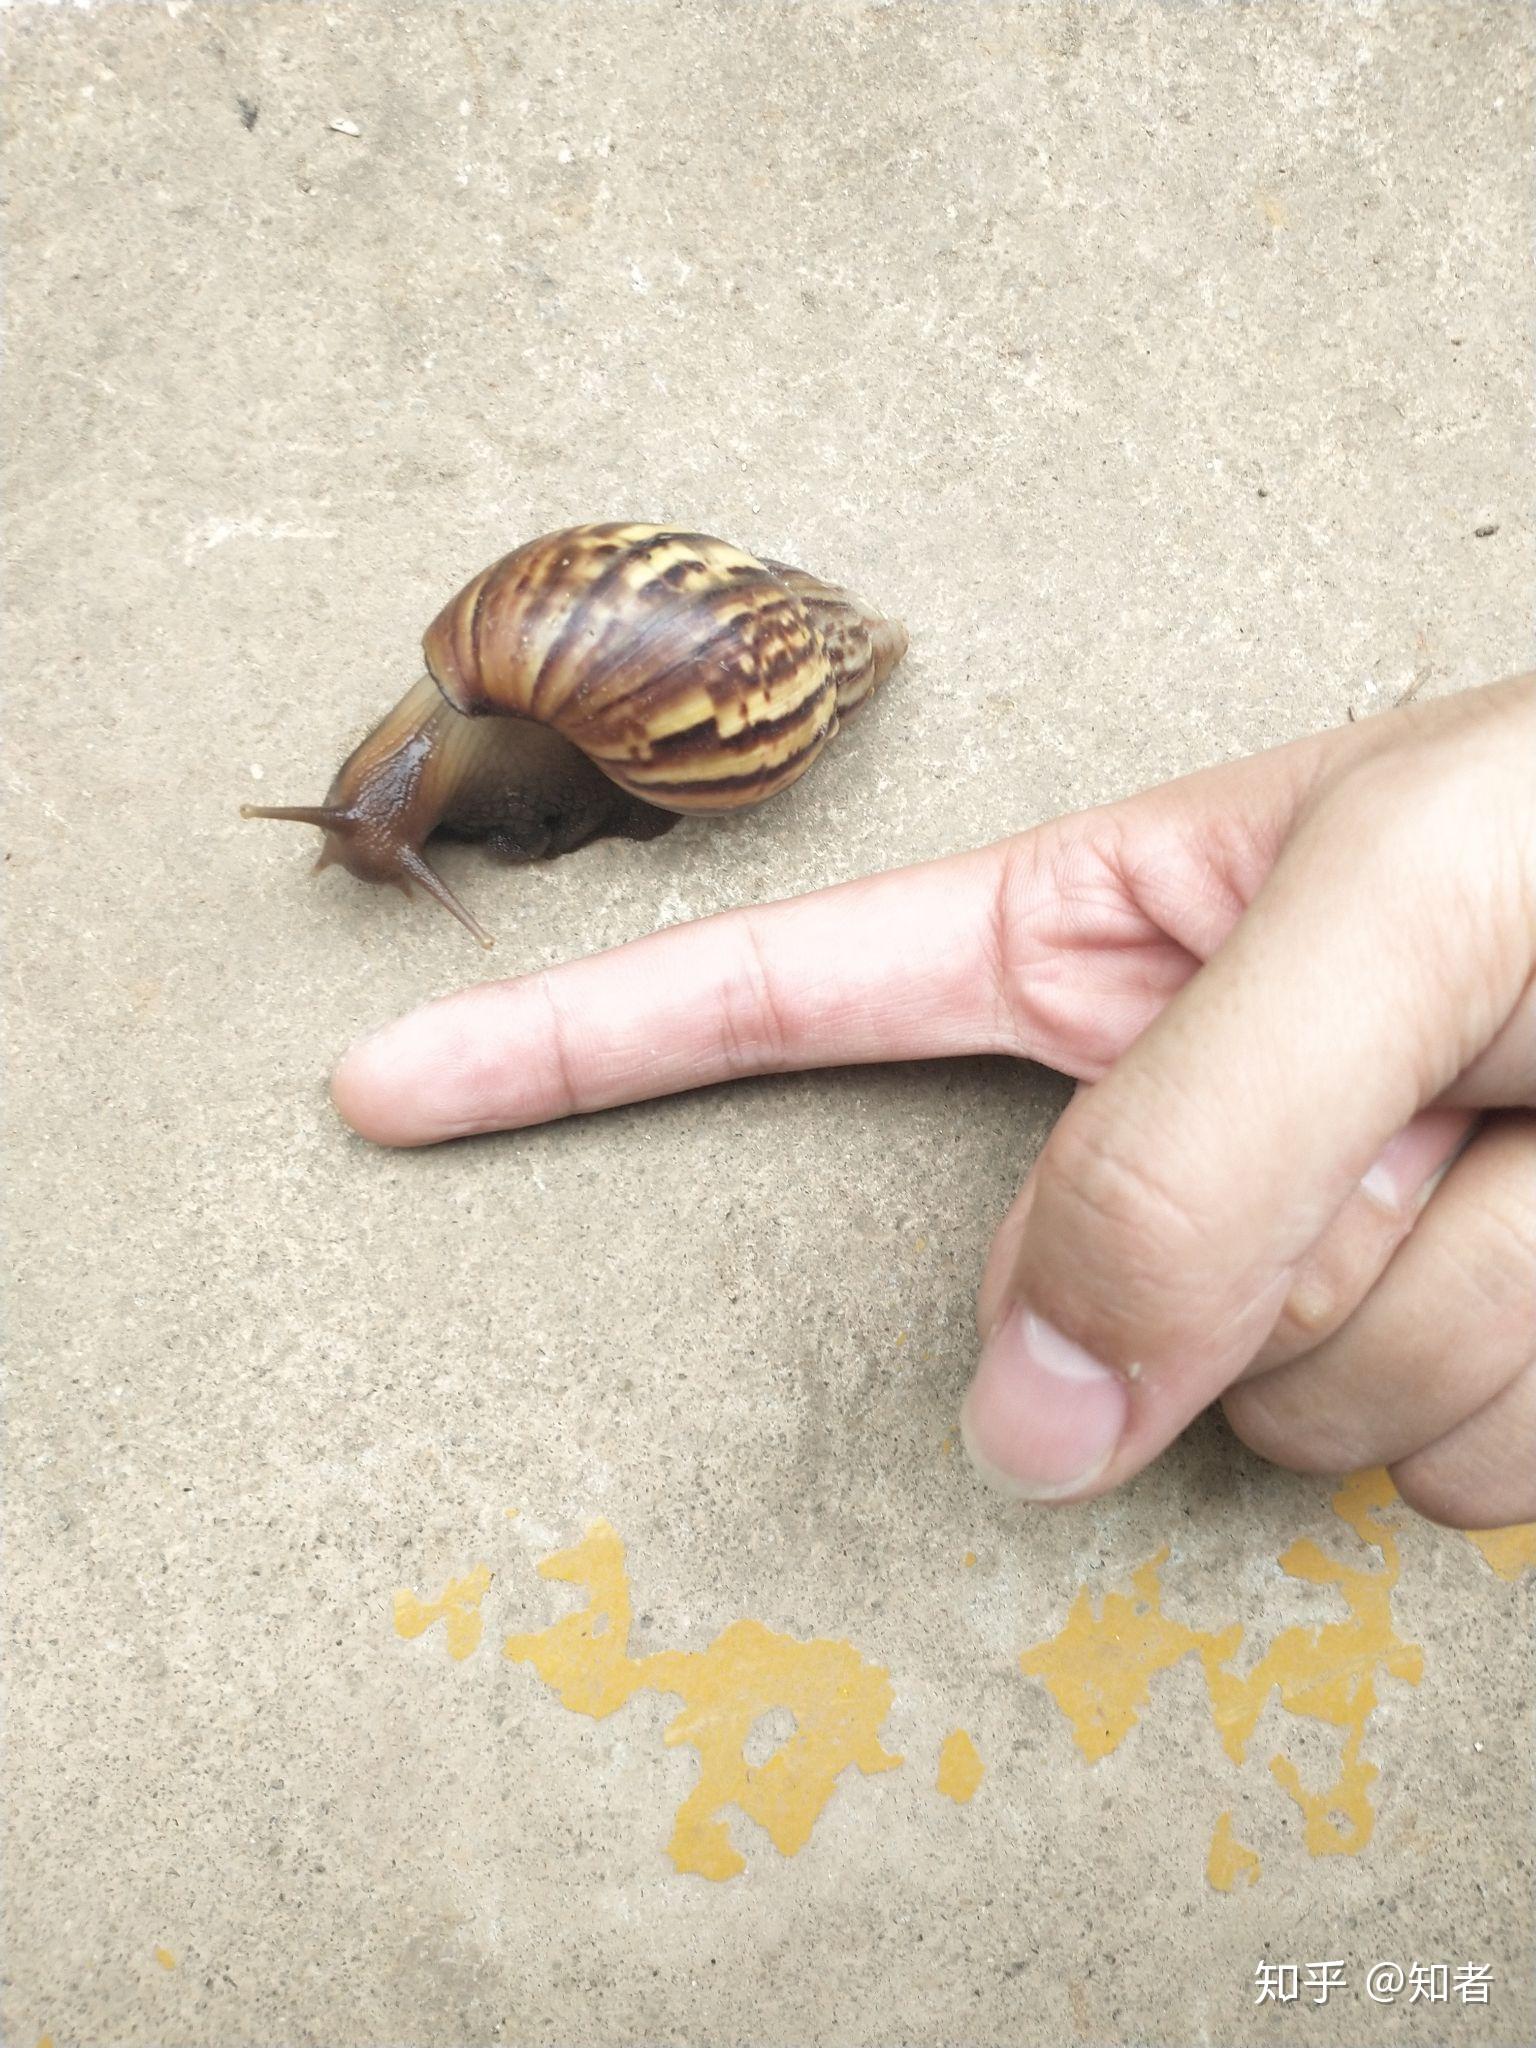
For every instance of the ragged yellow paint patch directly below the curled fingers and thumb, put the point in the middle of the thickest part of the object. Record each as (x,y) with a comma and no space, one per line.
(1101,1666)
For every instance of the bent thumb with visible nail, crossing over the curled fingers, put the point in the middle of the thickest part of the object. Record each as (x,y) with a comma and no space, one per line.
(1154,1244)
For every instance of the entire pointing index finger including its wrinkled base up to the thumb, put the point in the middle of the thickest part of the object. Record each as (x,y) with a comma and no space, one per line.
(1060,945)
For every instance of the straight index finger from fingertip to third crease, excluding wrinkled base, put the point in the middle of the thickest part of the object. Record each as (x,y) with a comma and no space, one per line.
(900,966)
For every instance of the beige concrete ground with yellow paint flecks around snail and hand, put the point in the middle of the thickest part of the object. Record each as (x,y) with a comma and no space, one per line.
(1168,370)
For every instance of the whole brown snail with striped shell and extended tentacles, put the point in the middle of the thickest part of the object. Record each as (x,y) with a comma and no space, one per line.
(601,681)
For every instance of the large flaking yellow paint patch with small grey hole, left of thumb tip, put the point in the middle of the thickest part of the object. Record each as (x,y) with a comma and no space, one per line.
(837,1699)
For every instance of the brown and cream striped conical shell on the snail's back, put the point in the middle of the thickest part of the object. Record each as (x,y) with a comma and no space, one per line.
(693,675)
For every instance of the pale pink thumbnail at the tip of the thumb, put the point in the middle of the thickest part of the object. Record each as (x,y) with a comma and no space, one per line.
(1041,1418)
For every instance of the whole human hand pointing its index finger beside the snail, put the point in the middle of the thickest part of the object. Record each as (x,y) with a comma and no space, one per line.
(1302,1179)
